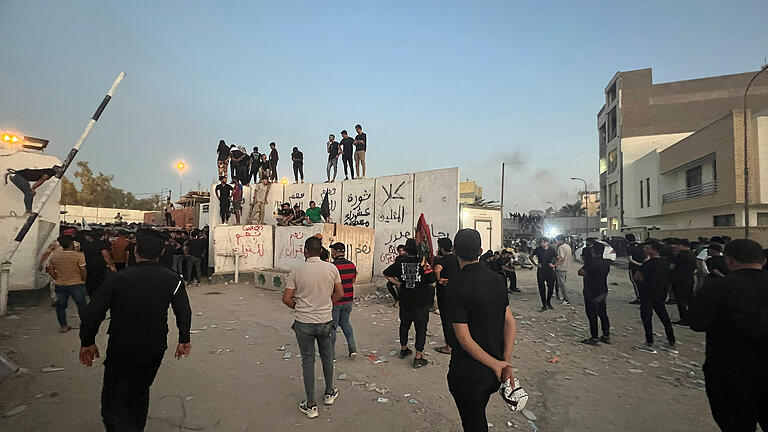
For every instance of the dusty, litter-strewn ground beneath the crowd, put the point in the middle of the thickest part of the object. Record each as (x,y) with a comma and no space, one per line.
(237,380)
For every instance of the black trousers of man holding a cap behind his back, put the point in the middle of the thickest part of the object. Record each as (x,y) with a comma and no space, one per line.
(471,387)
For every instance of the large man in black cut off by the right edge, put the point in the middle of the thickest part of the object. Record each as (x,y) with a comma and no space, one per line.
(734,312)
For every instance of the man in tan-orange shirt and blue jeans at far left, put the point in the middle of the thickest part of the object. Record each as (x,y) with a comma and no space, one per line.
(67,267)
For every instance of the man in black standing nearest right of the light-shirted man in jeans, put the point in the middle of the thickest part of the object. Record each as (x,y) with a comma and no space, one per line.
(595,272)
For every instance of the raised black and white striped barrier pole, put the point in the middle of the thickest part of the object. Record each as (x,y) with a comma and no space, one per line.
(5,267)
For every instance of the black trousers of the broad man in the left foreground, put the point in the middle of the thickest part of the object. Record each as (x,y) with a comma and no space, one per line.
(125,394)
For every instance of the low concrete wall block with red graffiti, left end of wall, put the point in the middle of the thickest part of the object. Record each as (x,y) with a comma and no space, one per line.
(254,243)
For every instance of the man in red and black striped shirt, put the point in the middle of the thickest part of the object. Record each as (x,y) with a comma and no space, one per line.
(343,308)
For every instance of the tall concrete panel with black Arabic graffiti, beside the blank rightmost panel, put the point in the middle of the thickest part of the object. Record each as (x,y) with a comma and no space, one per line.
(393,217)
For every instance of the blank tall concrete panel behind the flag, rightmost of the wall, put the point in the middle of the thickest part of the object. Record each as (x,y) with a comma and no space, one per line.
(435,193)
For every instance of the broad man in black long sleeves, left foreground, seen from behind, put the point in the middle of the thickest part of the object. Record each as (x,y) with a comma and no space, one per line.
(138,300)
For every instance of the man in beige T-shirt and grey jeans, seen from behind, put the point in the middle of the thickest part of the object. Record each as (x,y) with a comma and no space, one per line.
(311,289)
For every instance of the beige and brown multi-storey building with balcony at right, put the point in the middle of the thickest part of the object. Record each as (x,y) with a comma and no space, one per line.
(671,154)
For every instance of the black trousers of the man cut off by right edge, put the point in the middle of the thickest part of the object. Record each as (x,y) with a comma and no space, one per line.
(738,400)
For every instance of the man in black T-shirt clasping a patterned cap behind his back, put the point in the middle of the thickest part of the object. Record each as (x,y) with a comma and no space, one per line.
(478,310)
